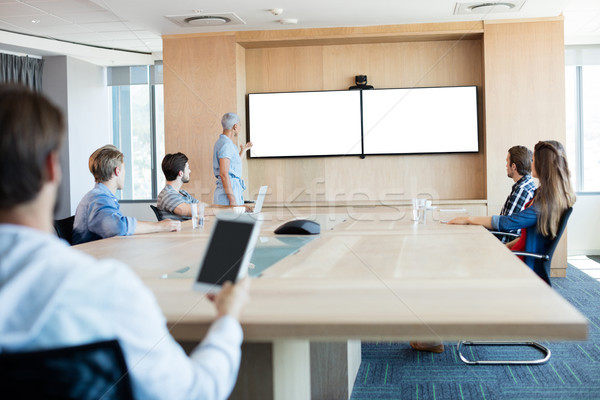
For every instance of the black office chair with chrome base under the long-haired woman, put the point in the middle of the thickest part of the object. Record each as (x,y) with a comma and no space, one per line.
(542,268)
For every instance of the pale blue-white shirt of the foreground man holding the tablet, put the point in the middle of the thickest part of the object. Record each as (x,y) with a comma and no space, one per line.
(54,296)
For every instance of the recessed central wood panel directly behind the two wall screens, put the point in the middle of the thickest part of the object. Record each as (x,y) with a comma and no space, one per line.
(381,178)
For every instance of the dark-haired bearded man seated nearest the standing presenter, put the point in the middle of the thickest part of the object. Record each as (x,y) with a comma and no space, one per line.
(174,202)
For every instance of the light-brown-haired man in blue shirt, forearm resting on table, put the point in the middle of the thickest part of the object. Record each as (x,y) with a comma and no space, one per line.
(98,214)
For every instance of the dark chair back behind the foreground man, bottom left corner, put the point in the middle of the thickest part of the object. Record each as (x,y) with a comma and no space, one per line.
(91,371)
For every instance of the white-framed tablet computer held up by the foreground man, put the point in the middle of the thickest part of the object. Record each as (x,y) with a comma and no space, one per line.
(228,252)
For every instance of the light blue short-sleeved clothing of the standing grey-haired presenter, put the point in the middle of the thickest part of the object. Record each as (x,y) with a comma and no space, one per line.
(224,148)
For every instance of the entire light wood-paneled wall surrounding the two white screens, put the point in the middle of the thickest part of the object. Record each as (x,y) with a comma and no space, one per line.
(517,65)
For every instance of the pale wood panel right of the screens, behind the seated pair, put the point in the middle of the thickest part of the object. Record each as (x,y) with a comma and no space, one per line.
(524,100)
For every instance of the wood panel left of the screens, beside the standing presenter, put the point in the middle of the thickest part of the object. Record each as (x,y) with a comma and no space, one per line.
(200,79)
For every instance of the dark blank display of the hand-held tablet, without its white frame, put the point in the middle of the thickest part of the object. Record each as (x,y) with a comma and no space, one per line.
(225,252)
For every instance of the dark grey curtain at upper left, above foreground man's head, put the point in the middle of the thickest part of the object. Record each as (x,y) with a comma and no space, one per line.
(21,70)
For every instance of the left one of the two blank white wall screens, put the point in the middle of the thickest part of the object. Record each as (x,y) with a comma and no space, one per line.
(304,124)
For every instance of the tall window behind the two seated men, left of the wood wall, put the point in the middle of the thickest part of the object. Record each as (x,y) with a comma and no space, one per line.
(138,127)
